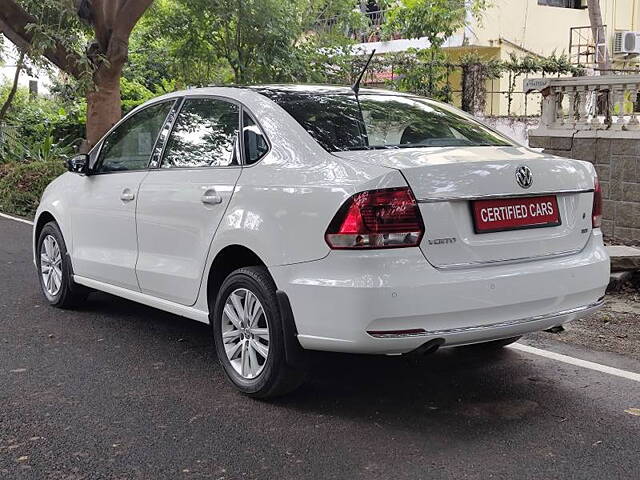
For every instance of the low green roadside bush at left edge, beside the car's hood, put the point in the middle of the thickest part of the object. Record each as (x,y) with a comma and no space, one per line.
(22,184)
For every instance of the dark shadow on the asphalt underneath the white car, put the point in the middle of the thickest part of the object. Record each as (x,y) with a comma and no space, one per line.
(469,384)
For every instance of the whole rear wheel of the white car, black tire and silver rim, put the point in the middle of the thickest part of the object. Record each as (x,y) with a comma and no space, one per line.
(242,343)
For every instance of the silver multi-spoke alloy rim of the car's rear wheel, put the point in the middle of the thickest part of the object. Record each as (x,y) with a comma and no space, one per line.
(245,333)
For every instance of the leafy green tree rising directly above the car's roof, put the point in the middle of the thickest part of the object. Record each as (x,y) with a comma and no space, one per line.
(249,41)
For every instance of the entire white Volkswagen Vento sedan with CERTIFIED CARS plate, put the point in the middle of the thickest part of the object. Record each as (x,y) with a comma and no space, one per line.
(296,218)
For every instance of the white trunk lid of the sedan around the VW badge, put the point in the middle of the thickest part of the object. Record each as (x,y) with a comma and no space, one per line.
(446,182)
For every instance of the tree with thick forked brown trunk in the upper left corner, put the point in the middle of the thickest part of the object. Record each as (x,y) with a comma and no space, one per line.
(57,31)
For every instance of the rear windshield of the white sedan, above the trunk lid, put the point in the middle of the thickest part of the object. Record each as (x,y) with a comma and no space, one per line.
(337,123)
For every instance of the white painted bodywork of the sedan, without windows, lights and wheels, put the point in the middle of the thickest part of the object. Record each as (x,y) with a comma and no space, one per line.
(147,236)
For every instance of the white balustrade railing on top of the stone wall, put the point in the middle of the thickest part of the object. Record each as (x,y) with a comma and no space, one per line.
(608,102)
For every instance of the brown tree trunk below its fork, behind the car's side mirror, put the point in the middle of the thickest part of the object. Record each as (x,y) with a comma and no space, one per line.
(103,104)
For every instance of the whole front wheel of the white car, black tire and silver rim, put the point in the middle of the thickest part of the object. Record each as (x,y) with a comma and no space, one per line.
(54,269)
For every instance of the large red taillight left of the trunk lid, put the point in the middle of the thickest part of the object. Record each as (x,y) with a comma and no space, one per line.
(386,218)
